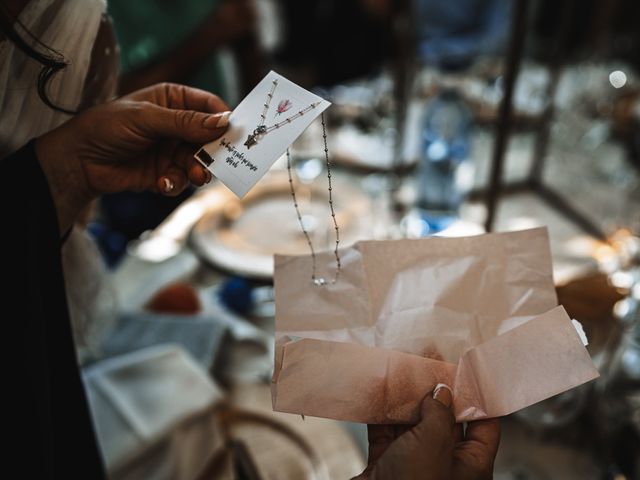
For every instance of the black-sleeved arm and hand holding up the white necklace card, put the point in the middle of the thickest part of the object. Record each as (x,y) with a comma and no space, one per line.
(140,142)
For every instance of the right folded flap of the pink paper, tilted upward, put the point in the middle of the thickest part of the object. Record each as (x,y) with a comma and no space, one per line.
(529,363)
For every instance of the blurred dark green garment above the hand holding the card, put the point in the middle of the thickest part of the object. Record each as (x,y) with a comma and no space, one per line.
(148,30)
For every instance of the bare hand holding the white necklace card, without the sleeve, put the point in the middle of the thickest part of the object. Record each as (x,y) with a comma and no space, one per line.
(144,141)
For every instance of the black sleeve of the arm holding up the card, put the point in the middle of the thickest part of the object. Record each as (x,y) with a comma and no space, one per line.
(50,432)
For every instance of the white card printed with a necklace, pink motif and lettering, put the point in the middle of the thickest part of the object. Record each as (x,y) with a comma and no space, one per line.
(261,128)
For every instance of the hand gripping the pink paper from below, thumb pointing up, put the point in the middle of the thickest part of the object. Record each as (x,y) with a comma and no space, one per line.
(435,448)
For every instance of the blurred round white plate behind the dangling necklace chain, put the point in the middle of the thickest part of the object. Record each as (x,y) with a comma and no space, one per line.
(242,235)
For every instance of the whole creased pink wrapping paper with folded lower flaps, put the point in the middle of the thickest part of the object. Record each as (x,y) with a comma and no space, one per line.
(477,313)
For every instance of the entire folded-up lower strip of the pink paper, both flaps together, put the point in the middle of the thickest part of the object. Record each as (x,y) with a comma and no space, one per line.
(346,381)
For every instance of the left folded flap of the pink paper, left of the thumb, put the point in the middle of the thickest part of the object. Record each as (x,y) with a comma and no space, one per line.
(352,382)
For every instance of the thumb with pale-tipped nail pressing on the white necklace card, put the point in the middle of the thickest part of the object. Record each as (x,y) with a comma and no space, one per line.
(187,125)
